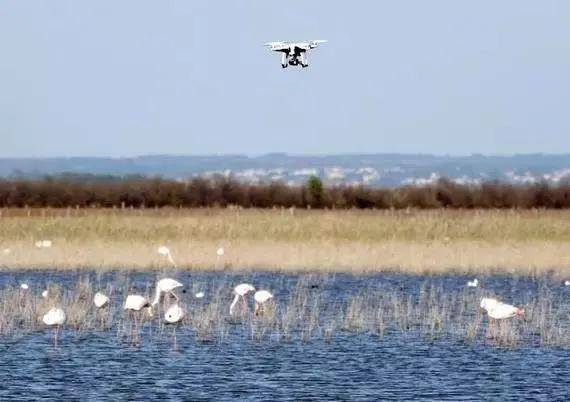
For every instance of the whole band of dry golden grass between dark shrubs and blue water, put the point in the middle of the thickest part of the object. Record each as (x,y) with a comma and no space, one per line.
(435,241)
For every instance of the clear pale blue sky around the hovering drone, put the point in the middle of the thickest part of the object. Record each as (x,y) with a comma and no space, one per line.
(125,78)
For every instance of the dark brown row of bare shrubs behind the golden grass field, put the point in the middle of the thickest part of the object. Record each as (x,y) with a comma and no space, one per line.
(139,192)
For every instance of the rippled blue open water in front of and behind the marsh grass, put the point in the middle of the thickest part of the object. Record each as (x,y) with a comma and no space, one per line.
(100,365)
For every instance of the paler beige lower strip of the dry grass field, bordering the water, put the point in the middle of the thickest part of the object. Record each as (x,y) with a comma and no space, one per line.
(409,258)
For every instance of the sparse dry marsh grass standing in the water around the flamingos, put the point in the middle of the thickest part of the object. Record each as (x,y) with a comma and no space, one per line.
(308,314)
